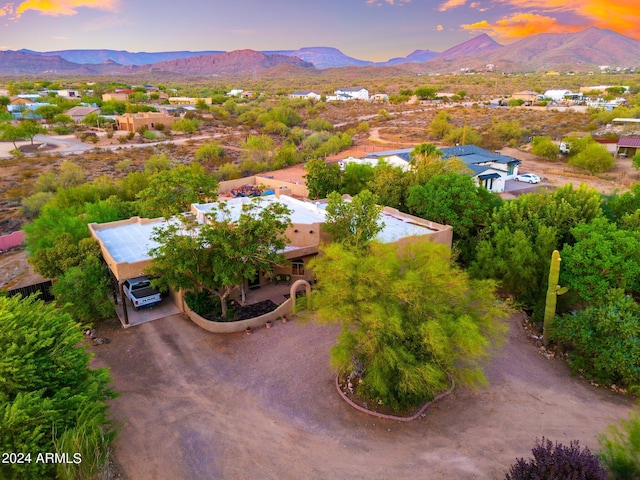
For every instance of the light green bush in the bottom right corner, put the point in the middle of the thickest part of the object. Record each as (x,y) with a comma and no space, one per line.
(621,449)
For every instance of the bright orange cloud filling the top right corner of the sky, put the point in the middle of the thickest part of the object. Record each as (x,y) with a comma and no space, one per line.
(622,16)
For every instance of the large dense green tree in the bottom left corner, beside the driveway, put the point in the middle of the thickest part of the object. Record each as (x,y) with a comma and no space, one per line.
(46,389)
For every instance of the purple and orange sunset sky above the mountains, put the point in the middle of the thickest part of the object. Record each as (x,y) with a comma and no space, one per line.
(366,29)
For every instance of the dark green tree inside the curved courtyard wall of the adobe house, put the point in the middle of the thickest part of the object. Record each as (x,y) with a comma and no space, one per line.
(219,255)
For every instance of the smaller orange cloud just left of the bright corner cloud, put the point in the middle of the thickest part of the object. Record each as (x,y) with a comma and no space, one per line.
(522,25)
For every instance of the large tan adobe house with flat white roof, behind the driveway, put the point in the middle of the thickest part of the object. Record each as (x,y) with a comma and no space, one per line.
(125,244)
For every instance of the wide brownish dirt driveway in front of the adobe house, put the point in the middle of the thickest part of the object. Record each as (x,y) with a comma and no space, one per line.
(195,405)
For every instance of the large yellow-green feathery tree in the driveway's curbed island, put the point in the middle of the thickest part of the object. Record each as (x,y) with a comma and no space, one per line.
(410,320)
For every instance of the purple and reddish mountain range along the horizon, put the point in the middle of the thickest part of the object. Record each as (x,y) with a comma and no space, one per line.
(583,50)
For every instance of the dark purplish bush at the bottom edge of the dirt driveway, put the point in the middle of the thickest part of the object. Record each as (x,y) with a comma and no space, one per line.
(558,462)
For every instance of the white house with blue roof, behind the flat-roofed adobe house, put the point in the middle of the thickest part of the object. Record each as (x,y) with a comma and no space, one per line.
(489,169)
